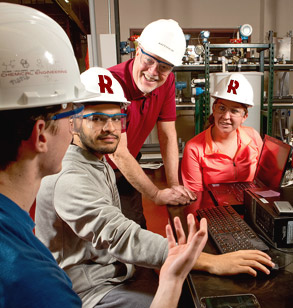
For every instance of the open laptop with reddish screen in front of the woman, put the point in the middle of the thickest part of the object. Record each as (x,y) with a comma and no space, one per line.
(269,172)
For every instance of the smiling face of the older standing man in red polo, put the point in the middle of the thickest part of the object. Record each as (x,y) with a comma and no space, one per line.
(147,78)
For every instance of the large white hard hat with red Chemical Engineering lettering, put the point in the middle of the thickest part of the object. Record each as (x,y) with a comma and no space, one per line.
(37,63)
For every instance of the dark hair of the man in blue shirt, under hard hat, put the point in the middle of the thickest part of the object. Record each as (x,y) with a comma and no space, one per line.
(17,125)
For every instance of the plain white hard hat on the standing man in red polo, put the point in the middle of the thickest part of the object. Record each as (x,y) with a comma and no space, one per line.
(165,39)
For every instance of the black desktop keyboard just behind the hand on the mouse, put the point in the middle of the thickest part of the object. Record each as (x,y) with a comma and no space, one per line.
(229,231)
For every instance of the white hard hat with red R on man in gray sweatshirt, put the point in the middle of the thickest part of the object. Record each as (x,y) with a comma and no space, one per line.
(101,82)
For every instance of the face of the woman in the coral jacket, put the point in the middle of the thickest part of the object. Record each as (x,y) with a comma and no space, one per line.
(228,115)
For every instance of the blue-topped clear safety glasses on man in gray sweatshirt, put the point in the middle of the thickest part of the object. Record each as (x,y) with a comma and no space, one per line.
(100,119)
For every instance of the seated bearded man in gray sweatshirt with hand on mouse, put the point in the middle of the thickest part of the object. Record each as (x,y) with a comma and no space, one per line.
(79,218)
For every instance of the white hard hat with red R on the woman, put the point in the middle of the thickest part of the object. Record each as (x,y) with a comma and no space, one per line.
(236,88)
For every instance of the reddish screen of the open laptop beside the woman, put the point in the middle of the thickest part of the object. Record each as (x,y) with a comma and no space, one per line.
(272,162)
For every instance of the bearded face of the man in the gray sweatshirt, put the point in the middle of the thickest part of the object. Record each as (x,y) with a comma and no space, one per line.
(99,138)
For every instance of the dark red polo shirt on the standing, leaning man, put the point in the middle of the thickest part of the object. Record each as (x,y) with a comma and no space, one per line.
(144,111)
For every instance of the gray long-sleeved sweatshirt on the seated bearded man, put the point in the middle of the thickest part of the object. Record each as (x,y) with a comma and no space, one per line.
(78,217)
